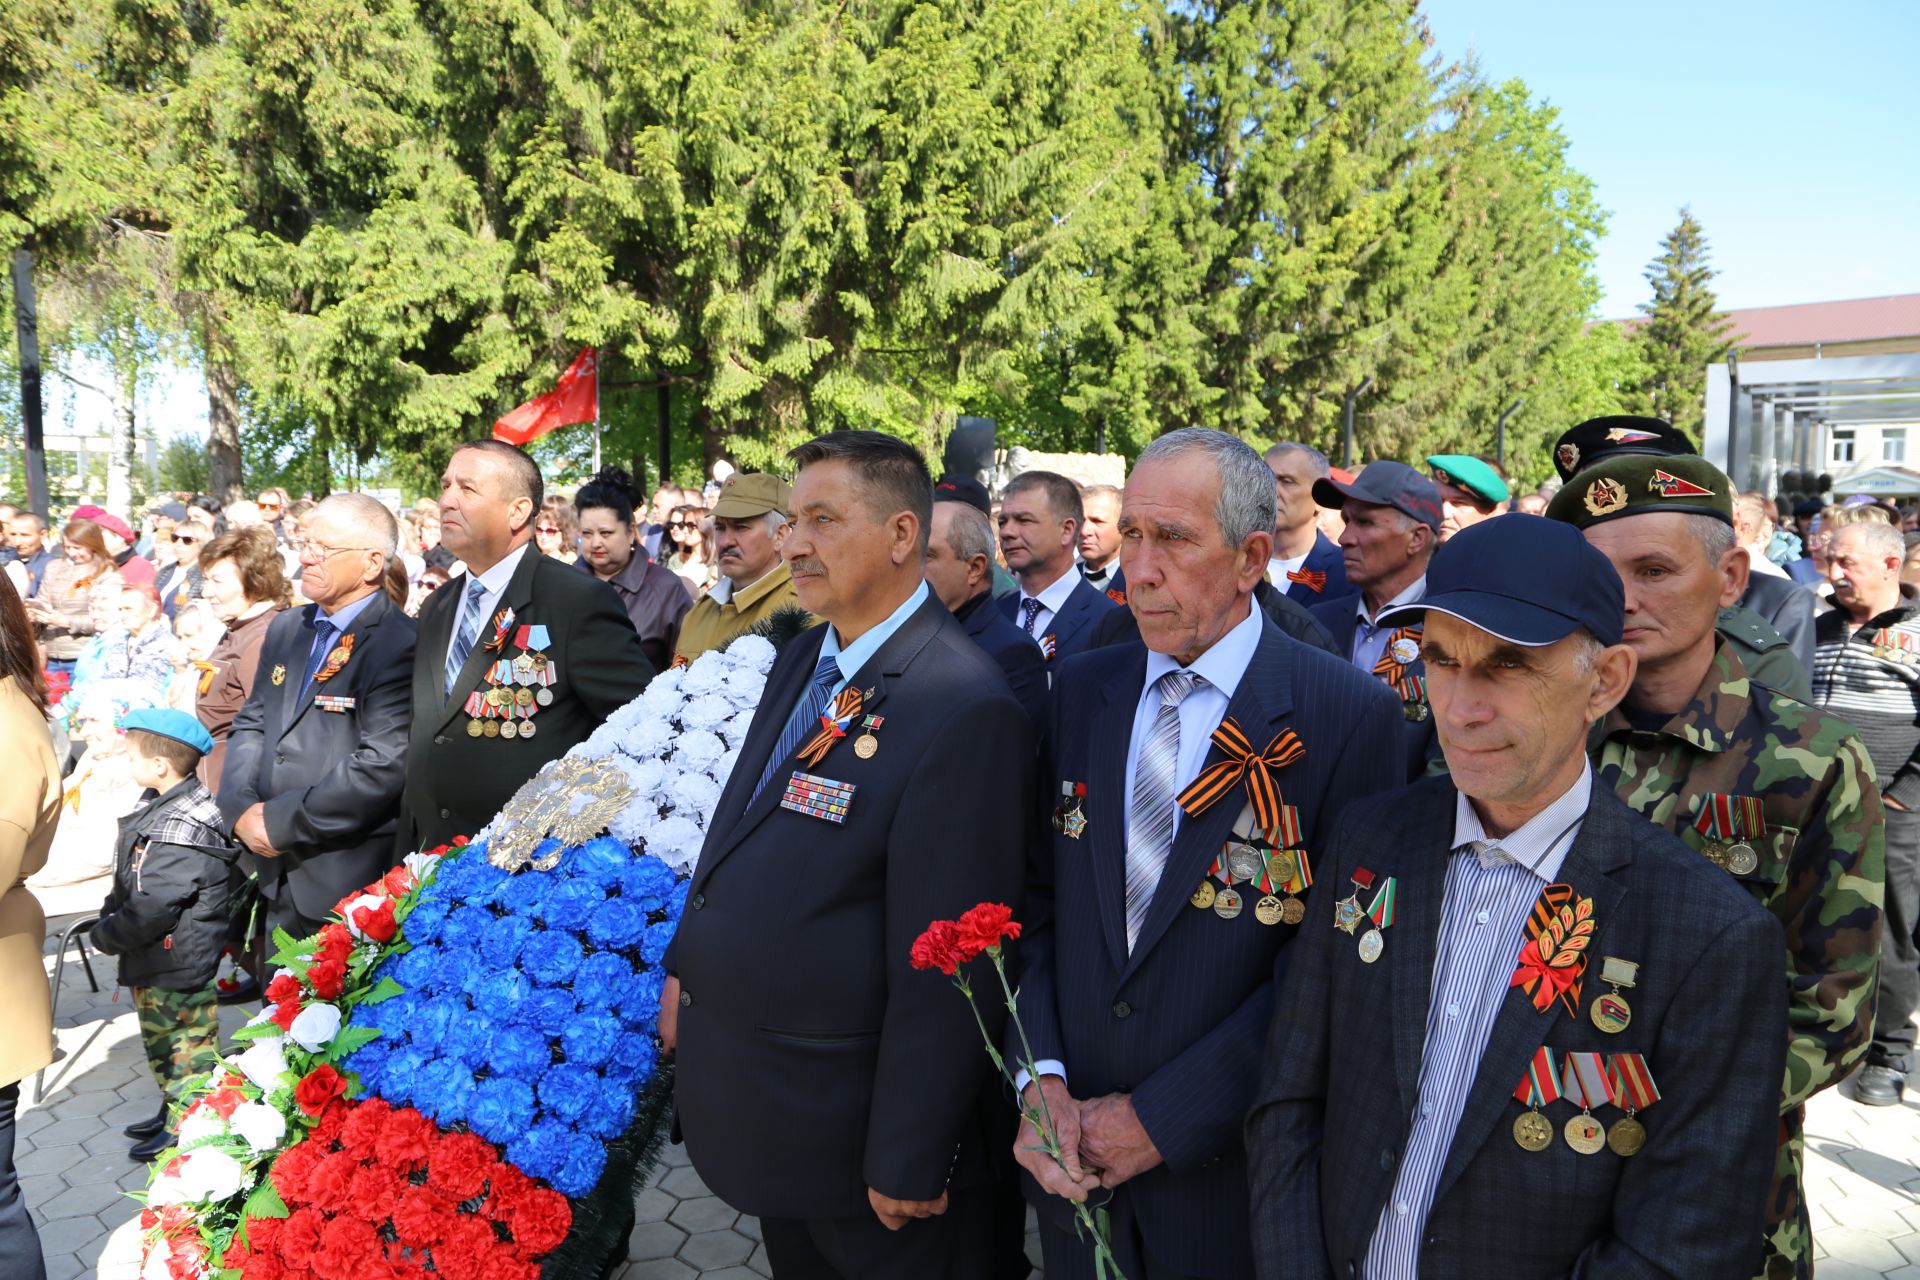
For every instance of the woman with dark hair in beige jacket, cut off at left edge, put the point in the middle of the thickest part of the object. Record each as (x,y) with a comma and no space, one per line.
(30,813)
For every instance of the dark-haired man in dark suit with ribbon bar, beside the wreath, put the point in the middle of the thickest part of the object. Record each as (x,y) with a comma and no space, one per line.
(825,1085)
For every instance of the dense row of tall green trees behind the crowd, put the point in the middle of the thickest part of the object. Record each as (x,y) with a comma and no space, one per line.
(381,224)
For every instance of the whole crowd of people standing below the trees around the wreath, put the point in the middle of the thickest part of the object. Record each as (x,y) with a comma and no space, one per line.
(1606,792)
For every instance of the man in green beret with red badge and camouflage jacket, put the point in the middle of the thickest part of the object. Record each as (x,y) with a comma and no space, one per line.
(1769,790)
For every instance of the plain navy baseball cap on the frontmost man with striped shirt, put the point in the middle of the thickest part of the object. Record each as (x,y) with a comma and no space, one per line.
(1524,579)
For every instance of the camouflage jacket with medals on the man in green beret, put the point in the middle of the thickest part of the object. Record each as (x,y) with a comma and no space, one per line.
(1821,872)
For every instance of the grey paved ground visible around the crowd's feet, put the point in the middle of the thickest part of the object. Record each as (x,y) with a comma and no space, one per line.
(1863,1172)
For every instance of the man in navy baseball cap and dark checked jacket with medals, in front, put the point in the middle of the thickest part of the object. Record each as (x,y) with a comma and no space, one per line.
(1529,1033)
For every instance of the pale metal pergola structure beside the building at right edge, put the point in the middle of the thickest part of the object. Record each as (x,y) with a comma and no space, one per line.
(1767,417)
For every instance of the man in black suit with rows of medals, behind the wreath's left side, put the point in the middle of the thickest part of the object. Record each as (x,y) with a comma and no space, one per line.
(521,657)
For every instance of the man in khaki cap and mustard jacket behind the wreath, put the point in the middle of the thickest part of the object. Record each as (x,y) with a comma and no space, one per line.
(750,521)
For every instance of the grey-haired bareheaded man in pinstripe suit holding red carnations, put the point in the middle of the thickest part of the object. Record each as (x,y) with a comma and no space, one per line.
(1195,782)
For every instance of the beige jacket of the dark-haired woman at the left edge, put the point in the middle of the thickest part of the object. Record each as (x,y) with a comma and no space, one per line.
(30,811)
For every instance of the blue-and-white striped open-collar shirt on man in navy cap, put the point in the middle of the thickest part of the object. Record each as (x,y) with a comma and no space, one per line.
(1491,888)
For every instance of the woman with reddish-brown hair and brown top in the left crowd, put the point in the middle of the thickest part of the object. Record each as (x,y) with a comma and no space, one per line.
(245,582)
